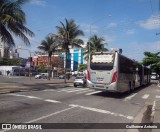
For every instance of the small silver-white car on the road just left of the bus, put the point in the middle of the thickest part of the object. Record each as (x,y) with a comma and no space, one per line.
(80,81)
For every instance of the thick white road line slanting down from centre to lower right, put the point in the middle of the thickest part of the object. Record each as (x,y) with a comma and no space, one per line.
(103,111)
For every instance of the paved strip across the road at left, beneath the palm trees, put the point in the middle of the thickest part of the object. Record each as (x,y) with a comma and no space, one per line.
(10,85)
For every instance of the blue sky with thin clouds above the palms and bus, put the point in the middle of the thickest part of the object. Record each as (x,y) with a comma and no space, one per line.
(131,25)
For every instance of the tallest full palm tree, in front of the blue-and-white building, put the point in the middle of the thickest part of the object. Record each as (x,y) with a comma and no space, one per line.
(68,33)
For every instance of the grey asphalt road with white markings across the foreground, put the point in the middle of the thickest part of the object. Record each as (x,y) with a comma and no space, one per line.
(77,105)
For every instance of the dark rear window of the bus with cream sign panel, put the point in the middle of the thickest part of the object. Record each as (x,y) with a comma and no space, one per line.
(102,61)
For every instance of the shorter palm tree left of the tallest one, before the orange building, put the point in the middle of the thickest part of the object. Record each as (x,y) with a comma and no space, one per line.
(49,45)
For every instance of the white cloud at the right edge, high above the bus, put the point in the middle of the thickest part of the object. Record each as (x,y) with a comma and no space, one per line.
(151,23)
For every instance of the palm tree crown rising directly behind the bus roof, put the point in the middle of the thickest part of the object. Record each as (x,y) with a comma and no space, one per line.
(95,44)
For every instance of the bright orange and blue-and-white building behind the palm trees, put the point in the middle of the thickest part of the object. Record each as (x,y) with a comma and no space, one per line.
(74,58)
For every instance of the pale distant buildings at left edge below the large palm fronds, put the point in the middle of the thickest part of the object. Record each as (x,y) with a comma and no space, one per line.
(7,52)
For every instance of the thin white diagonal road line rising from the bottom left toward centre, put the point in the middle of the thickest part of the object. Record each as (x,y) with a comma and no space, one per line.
(49,115)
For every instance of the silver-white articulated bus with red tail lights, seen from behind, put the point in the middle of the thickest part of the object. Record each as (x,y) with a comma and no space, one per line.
(111,71)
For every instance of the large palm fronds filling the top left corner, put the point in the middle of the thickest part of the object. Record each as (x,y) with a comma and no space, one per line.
(12,20)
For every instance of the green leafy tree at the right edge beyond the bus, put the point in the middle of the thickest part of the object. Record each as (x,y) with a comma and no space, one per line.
(152,60)
